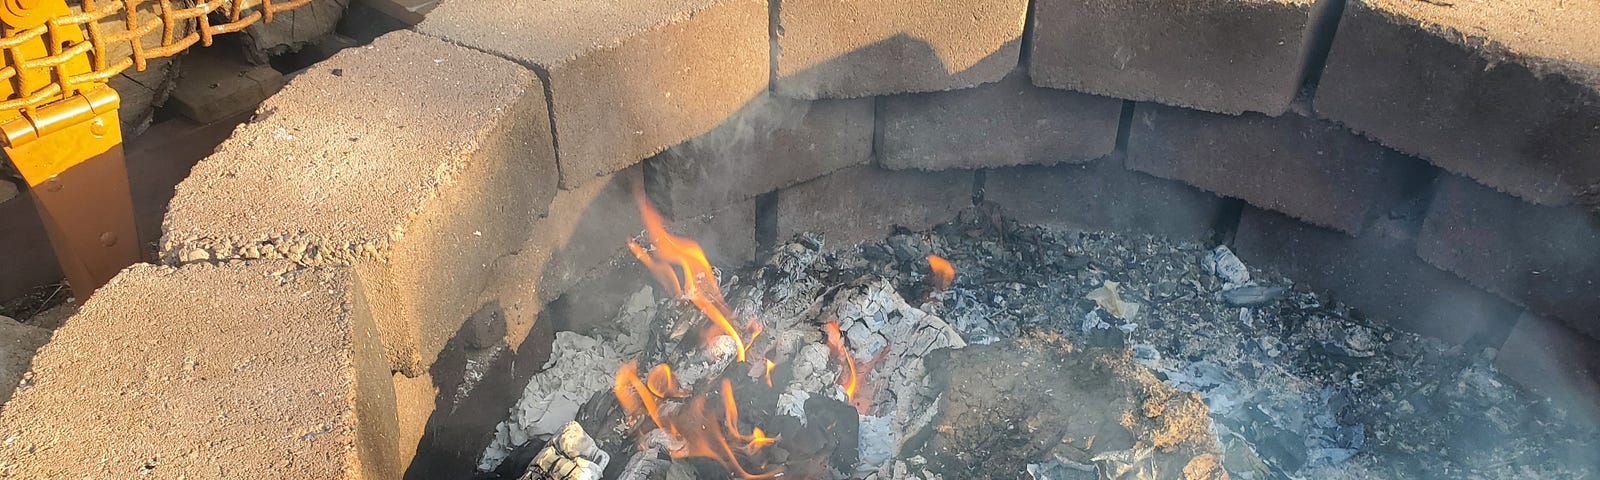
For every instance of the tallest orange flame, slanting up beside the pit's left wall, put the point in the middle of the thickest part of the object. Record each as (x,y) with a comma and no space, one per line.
(698,282)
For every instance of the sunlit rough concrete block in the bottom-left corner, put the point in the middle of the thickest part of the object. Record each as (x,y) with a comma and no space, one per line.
(244,370)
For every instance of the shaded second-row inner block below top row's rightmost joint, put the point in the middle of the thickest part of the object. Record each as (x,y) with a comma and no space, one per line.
(1308,169)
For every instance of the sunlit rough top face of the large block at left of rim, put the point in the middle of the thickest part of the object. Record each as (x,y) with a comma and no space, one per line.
(353,148)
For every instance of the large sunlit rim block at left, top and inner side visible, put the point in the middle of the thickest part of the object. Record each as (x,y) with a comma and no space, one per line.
(414,161)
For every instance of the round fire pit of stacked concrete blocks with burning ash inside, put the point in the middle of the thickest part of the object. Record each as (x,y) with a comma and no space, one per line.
(812,239)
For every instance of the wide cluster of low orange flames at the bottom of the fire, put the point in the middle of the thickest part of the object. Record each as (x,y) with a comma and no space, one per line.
(695,423)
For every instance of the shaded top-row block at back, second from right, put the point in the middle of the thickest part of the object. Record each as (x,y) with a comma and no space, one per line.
(1223,57)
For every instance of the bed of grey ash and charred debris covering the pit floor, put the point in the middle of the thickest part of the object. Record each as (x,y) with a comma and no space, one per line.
(1079,356)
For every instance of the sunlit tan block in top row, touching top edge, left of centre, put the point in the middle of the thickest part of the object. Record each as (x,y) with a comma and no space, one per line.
(625,84)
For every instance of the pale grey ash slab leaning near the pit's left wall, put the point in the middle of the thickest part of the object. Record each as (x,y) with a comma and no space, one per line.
(577,370)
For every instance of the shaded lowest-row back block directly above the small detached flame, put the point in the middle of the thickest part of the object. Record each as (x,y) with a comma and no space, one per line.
(866,202)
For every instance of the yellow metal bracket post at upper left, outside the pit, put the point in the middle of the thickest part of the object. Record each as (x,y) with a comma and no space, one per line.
(70,148)
